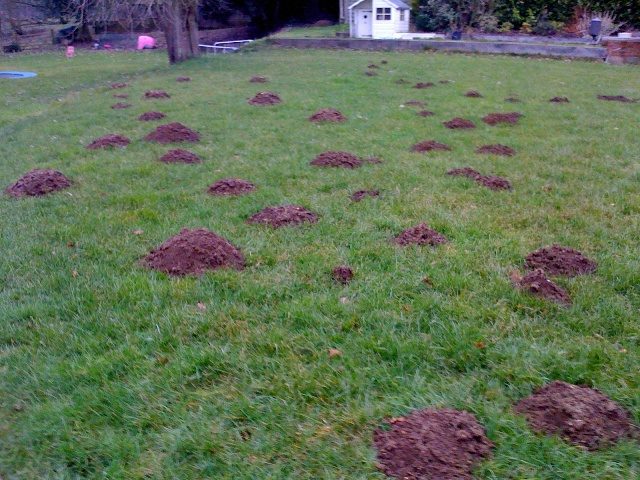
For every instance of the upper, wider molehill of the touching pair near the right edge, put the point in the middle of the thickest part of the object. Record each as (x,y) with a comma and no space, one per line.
(557,260)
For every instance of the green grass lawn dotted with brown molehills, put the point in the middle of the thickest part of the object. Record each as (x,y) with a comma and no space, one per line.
(108,370)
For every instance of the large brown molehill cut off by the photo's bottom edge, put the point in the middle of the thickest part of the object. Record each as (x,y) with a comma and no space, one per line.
(437,444)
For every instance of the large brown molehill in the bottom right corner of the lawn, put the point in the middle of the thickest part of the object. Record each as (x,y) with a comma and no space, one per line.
(579,414)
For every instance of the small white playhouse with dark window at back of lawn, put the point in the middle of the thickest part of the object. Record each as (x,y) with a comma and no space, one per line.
(378,18)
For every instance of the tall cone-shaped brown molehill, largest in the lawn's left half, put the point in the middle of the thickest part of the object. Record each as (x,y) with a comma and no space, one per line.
(192,252)
